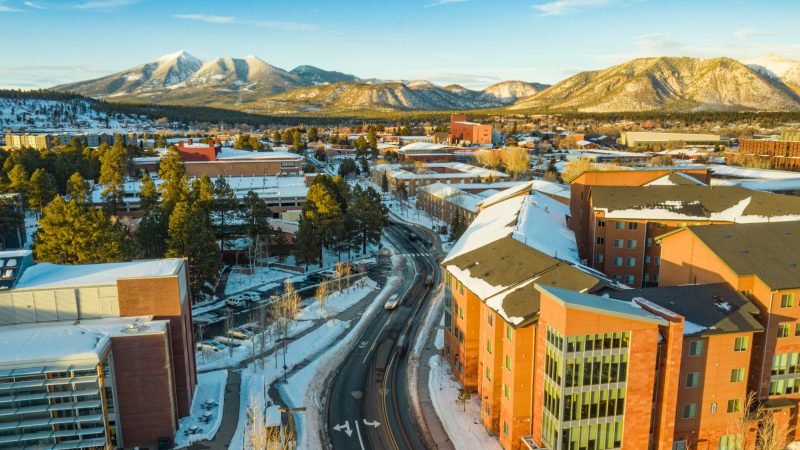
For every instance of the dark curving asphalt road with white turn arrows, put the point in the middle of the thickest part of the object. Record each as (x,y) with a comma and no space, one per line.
(369,405)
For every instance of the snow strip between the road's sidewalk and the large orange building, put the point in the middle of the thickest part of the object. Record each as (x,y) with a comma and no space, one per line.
(463,427)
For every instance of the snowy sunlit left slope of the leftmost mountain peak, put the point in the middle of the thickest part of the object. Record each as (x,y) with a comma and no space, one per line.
(165,72)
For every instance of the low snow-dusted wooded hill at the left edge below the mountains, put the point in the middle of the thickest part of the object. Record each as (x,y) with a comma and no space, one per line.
(32,112)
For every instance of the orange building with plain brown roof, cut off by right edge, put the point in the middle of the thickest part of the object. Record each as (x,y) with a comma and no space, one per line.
(761,261)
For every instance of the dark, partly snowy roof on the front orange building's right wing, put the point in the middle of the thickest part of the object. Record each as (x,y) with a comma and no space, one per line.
(708,308)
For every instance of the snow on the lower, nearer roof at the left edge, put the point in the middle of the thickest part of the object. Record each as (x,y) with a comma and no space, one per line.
(50,343)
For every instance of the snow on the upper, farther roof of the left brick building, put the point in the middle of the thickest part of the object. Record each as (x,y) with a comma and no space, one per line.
(47,275)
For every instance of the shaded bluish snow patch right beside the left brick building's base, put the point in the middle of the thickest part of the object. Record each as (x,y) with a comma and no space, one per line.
(210,388)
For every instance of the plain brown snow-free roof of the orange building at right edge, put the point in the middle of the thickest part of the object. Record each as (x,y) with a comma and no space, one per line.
(770,251)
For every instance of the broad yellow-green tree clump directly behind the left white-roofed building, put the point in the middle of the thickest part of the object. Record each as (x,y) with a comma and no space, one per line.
(71,234)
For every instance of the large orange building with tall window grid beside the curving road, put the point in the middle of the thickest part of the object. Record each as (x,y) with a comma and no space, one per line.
(563,357)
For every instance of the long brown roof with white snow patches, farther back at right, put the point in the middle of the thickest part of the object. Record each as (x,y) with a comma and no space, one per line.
(694,203)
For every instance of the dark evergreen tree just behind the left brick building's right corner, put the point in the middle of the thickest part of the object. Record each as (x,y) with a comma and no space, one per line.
(190,236)
